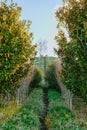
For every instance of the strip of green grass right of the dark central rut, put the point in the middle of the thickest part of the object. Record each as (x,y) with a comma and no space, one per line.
(59,117)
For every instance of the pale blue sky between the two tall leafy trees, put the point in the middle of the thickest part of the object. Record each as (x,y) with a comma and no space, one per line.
(41,13)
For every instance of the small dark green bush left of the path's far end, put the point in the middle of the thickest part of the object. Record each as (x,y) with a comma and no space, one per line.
(36,81)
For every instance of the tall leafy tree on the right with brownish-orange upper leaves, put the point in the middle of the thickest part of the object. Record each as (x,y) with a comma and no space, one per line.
(73,49)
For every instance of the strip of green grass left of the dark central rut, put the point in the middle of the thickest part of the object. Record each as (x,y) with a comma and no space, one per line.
(28,117)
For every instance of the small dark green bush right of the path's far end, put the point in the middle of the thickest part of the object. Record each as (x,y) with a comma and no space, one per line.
(50,77)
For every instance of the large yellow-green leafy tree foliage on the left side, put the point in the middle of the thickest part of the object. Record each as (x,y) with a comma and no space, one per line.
(16,49)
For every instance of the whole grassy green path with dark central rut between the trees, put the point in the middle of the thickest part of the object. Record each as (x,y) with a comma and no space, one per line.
(55,115)
